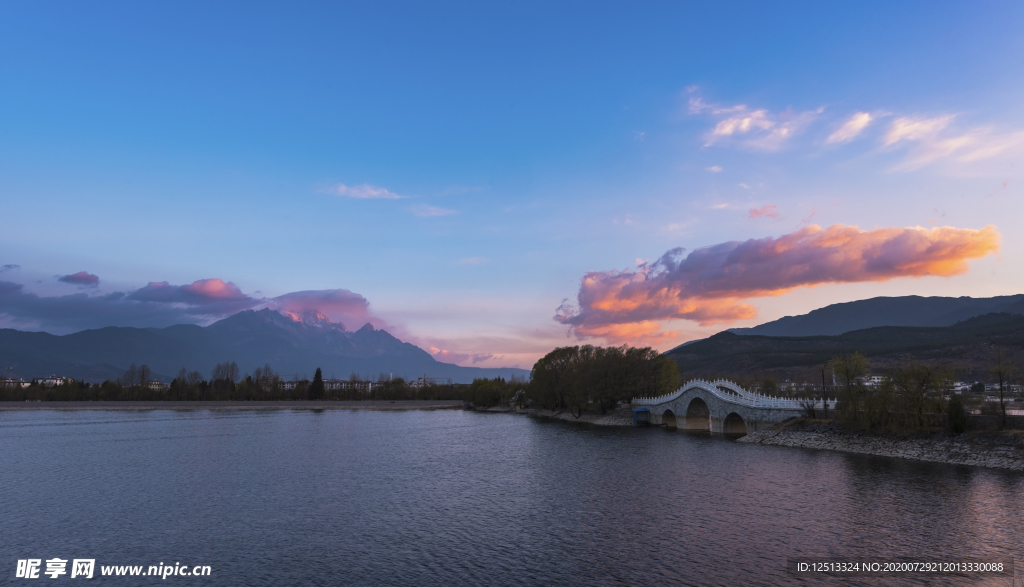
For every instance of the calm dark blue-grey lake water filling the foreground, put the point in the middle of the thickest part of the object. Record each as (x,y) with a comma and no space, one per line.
(456,498)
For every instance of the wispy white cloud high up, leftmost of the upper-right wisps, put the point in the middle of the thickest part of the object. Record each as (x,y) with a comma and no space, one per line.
(761,130)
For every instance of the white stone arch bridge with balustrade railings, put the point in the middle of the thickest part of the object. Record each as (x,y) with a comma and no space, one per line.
(721,407)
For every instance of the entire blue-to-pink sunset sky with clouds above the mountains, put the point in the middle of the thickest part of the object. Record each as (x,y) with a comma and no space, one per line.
(492,181)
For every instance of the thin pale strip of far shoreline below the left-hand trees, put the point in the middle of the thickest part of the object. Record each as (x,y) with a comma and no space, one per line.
(284,405)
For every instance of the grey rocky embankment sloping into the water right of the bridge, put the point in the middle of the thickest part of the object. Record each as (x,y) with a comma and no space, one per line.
(998,450)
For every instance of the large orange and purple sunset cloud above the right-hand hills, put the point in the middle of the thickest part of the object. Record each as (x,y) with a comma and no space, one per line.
(711,285)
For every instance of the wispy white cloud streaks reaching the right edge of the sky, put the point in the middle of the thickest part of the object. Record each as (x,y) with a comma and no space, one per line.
(931,140)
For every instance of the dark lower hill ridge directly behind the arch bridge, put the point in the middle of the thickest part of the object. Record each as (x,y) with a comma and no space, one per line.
(968,346)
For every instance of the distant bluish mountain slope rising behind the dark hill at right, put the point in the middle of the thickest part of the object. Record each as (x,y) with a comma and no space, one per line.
(907,311)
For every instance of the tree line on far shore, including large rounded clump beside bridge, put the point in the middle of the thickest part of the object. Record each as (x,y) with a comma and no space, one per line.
(576,379)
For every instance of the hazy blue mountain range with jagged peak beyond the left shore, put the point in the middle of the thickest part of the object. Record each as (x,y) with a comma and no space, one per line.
(250,339)
